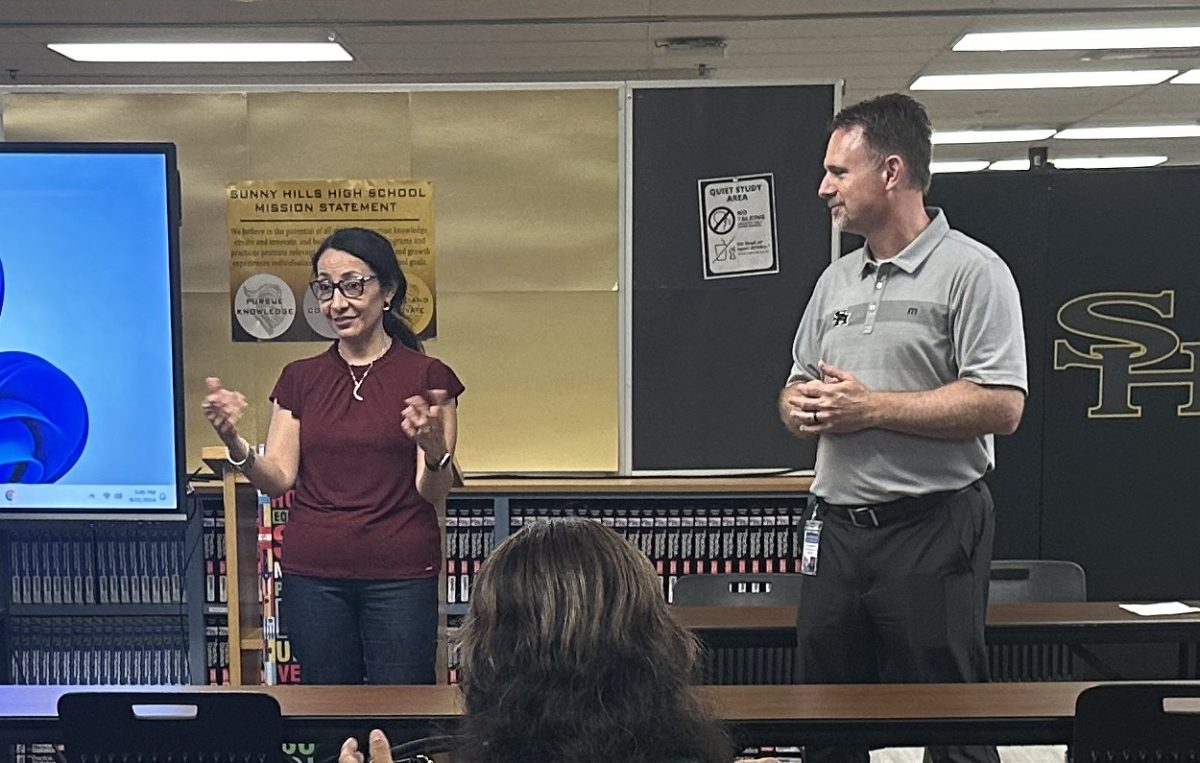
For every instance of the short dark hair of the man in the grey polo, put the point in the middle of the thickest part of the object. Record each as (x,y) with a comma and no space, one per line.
(895,124)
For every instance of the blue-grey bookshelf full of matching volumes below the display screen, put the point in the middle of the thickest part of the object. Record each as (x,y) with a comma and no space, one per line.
(101,602)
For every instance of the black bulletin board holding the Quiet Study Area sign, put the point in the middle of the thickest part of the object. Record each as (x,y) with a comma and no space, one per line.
(710,357)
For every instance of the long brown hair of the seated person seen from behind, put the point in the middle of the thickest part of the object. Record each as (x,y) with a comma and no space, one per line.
(571,653)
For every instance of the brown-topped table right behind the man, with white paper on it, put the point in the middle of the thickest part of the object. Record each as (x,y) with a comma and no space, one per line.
(1070,623)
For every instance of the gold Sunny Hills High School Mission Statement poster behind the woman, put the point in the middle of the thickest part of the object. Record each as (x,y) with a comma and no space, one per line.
(275,226)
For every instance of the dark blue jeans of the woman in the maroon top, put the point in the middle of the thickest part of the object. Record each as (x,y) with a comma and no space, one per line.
(362,632)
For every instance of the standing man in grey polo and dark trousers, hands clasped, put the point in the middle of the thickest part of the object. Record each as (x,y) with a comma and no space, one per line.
(909,358)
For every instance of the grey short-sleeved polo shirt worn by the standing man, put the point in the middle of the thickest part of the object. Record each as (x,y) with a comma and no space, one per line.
(944,309)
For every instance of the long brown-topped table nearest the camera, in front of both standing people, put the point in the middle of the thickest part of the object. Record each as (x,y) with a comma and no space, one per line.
(875,716)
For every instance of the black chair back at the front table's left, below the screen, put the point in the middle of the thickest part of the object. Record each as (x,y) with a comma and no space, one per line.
(148,726)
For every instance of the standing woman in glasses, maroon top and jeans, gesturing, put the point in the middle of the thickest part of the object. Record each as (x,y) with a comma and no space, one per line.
(365,434)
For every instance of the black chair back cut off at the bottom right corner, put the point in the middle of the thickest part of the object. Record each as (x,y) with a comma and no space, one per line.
(1137,723)
